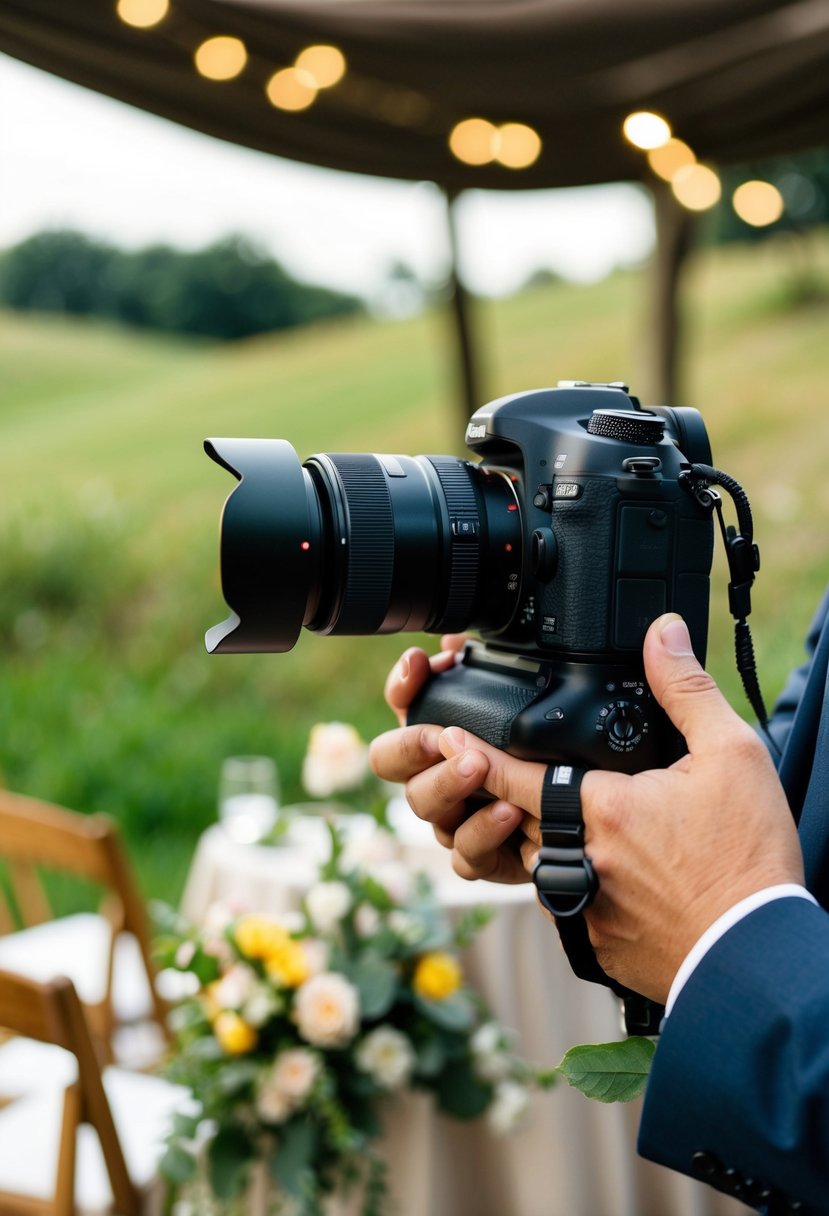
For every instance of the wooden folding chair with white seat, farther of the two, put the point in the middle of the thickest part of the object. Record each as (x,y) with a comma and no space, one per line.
(106,953)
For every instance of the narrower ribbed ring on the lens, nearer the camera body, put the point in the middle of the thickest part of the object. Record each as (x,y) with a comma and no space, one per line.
(465,549)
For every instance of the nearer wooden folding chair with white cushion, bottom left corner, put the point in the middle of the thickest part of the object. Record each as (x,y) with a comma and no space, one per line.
(46,1167)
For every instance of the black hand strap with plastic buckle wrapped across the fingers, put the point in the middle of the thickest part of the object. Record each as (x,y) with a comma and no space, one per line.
(567,885)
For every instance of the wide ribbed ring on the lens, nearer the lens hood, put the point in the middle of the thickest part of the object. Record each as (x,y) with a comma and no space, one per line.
(371,544)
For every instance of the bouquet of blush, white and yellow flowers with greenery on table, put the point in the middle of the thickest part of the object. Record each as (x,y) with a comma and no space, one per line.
(301,1028)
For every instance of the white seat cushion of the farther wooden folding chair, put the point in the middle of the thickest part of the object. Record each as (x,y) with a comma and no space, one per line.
(78,947)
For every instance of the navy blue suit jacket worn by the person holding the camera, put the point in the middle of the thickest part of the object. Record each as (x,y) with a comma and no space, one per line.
(740,1088)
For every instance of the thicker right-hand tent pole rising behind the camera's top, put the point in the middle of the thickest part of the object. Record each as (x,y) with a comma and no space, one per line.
(674,238)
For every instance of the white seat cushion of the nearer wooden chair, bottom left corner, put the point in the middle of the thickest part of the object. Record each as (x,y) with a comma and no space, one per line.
(143,1110)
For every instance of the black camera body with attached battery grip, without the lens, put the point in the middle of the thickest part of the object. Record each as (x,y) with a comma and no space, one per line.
(611,542)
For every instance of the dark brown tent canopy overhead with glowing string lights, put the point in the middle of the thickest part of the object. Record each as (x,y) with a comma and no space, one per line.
(738,80)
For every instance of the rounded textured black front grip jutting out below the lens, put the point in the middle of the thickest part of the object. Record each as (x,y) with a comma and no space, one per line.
(482,702)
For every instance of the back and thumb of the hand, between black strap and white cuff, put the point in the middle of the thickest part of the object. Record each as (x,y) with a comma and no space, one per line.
(676,848)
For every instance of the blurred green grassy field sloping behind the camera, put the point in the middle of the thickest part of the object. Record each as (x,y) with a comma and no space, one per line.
(109,515)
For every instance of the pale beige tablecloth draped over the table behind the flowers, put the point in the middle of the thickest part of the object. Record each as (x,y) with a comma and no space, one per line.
(573,1157)
